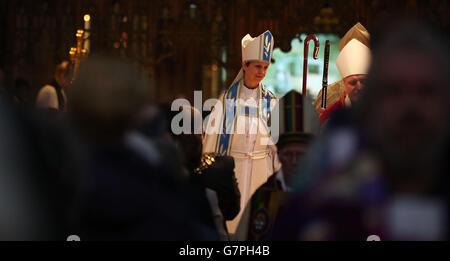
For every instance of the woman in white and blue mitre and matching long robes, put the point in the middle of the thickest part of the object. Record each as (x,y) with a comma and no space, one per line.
(239,126)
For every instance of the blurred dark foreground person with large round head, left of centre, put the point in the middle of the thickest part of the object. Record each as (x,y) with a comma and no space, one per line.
(128,194)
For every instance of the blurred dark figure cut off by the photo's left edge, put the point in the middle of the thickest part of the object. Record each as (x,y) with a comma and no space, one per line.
(38,176)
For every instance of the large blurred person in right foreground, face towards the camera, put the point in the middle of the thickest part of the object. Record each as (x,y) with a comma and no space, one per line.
(386,174)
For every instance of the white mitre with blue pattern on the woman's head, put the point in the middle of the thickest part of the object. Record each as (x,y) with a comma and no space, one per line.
(256,49)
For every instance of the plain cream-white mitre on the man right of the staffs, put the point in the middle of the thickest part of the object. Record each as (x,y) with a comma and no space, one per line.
(354,59)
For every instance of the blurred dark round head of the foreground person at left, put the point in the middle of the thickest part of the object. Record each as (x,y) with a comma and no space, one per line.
(106,96)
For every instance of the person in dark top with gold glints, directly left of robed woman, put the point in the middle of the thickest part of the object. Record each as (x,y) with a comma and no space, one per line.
(211,175)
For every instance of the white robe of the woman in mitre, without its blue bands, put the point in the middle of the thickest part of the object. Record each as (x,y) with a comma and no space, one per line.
(255,161)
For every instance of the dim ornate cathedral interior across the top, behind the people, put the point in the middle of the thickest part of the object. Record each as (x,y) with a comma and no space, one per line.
(183,45)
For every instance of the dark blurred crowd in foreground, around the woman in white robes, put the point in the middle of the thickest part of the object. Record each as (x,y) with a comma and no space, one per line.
(91,157)
